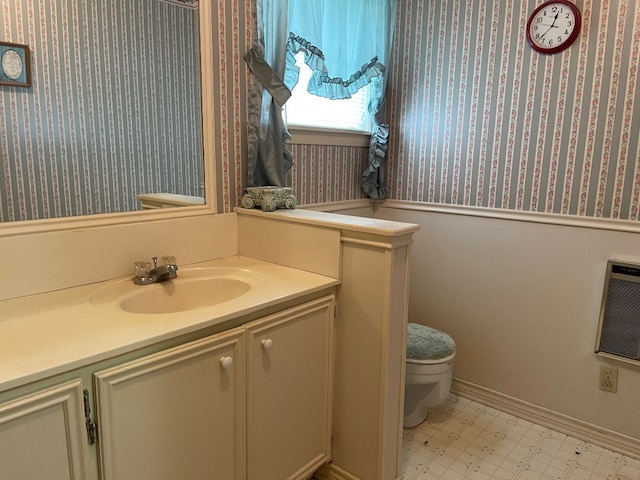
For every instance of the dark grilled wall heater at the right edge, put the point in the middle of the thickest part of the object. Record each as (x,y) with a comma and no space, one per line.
(619,328)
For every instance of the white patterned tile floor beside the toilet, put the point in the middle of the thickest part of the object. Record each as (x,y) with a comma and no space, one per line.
(462,439)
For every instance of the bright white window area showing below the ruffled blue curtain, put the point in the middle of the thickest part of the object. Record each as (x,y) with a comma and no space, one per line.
(306,110)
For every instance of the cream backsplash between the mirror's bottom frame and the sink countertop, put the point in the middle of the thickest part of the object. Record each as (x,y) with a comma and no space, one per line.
(43,261)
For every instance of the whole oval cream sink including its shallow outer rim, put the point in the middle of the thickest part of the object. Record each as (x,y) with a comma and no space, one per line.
(193,289)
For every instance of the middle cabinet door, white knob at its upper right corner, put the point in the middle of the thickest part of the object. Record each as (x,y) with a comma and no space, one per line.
(176,414)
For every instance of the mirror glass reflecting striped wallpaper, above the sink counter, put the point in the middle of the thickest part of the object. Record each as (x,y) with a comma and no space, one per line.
(113,119)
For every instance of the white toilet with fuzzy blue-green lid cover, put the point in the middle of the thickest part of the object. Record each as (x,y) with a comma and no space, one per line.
(429,368)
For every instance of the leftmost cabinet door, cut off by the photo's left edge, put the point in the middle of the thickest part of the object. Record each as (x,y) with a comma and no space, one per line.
(43,435)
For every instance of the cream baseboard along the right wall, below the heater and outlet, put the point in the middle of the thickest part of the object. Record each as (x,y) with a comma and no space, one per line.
(603,437)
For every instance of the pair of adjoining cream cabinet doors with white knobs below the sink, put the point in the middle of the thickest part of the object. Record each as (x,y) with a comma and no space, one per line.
(253,402)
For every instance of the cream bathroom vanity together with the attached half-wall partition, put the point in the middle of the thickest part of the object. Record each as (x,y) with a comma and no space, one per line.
(303,373)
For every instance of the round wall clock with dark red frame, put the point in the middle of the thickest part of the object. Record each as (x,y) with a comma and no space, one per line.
(553,26)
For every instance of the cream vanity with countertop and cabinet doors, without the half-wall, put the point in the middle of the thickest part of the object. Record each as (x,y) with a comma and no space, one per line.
(244,391)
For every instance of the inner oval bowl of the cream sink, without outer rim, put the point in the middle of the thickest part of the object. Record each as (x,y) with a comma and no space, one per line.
(169,297)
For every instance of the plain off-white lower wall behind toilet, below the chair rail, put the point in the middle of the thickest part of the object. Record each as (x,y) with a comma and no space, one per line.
(522,301)
